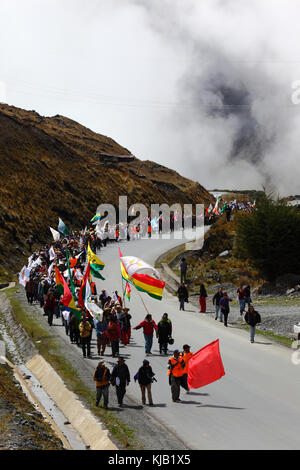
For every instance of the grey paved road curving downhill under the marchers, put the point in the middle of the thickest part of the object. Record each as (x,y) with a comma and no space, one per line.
(255,406)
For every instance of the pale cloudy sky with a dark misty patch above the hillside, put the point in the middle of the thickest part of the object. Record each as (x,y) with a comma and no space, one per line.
(209,88)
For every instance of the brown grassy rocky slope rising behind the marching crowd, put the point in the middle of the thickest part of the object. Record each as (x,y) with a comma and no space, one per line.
(55,167)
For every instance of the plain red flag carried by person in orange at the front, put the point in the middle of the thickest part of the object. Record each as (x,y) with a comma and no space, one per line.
(205,366)
